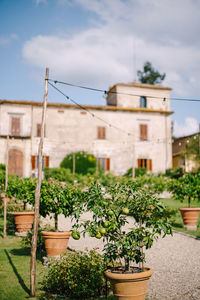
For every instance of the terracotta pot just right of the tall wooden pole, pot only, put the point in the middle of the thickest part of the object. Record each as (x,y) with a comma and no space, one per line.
(55,242)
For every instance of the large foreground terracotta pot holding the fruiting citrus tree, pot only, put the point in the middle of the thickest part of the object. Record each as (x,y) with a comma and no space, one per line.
(129,286)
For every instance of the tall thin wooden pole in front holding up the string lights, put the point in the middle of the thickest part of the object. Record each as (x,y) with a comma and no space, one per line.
(37,194)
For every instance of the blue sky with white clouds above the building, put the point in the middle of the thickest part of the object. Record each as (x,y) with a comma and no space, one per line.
(98,43)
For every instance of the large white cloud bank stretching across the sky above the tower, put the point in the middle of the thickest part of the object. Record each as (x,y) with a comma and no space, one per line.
(164,32)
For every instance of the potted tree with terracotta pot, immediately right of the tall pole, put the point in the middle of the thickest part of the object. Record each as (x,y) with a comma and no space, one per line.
(56,198)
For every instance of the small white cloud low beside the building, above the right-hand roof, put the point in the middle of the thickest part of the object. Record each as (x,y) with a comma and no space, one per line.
(189,126)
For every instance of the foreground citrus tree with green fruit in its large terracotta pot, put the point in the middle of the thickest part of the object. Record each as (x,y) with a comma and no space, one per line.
(128,220)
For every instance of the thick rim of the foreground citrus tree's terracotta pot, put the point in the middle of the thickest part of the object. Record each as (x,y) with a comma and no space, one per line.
(129,276)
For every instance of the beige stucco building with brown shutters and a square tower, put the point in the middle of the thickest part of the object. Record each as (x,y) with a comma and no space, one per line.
(133,129)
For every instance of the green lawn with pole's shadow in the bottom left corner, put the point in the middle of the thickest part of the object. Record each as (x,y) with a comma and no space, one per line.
(15,270)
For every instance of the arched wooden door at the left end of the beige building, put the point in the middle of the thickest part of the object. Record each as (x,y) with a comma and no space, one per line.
(15,162)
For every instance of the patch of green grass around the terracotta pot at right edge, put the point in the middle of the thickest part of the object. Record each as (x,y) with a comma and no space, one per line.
(176,219)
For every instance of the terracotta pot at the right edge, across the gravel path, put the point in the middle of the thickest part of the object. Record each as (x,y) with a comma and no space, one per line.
(190,216)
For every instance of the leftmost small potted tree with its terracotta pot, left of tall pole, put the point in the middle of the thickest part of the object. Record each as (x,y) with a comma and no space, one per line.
(22,189)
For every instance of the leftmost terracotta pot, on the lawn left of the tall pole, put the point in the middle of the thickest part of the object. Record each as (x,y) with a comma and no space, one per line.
(23,220)
